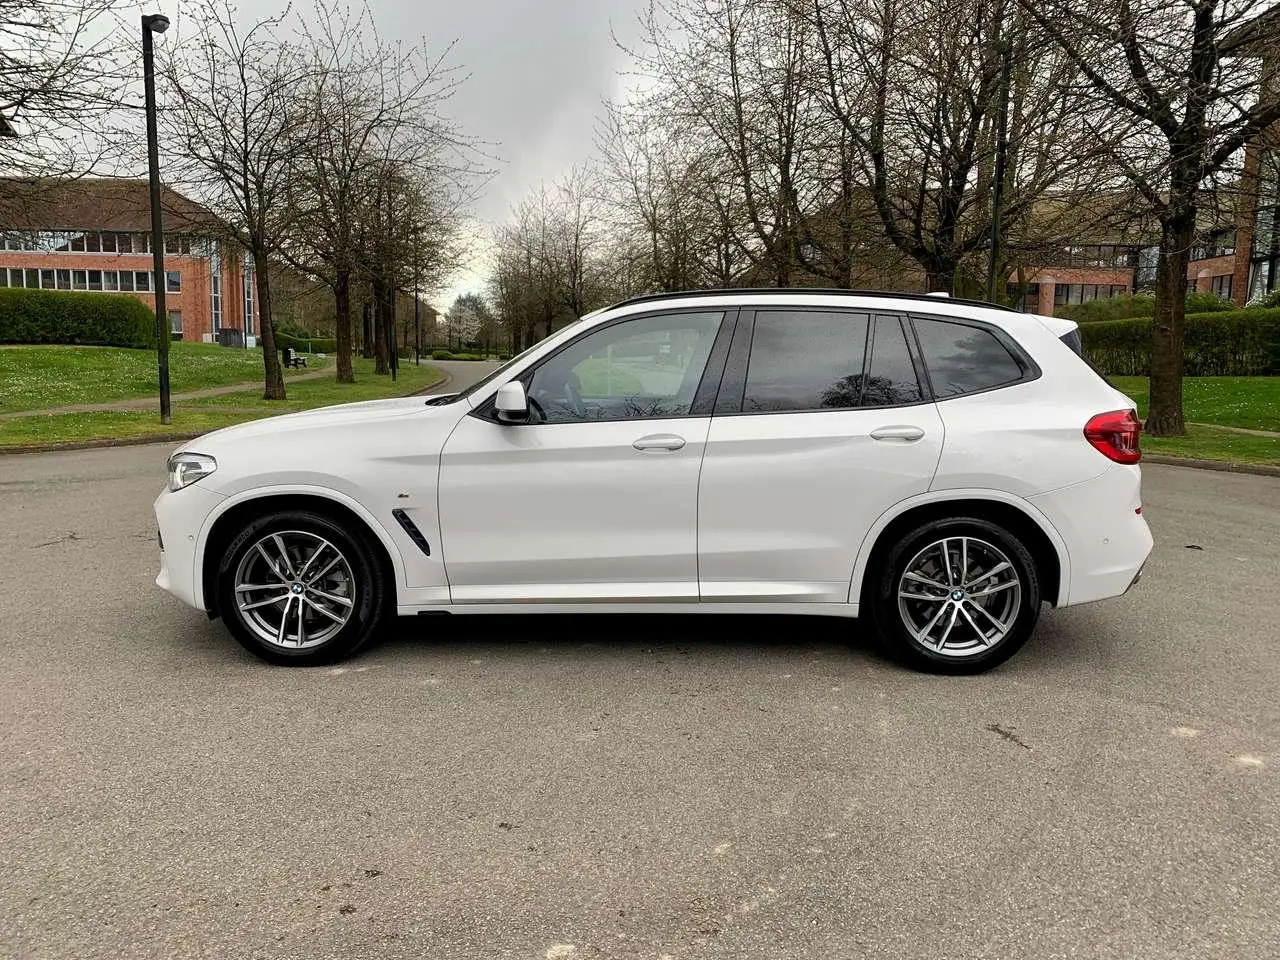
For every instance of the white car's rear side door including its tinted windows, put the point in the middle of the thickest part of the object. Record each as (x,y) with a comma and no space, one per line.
(821,426)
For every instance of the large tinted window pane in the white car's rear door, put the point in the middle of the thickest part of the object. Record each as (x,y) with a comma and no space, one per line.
(806,360)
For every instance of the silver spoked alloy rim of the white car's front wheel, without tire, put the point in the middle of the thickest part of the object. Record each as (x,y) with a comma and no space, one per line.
(295,589)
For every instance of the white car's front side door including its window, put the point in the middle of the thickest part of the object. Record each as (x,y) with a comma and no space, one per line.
(596,499)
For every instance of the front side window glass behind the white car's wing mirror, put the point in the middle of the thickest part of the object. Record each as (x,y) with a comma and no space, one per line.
(639,369)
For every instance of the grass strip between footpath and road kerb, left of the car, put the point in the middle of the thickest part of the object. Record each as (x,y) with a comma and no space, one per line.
(213,413)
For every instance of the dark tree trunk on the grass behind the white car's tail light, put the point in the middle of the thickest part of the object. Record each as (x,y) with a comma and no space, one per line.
(1178,235)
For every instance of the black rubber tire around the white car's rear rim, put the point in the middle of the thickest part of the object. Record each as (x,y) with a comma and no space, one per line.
(892,623)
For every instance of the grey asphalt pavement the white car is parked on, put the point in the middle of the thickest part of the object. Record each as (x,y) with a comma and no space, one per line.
(632,788)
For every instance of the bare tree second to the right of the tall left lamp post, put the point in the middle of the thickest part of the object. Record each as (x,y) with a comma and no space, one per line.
(381,108)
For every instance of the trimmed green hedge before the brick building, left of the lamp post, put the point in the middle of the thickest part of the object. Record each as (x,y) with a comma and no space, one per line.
(93,319)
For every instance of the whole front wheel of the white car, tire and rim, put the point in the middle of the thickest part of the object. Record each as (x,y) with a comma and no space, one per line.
(299,589)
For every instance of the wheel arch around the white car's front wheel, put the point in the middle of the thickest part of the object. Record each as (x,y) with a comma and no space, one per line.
(222,527)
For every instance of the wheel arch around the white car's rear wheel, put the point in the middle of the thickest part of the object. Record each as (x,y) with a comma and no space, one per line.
(1021,518)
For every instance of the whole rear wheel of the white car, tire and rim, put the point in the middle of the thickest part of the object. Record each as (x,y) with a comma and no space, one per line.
(958,596)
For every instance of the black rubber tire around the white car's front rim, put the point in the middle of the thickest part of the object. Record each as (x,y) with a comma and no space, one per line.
(368,589)
